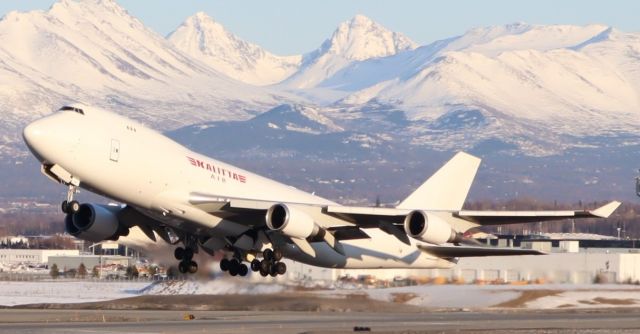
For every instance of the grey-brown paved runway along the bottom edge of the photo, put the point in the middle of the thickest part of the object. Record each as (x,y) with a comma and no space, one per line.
(128,321)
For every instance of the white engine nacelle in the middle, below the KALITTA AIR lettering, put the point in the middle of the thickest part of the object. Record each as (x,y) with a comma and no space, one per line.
(290,221)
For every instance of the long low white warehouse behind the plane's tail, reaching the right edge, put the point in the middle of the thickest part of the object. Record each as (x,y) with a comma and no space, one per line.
(608,265)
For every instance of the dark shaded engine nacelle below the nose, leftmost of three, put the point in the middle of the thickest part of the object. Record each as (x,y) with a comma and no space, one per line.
(93,223)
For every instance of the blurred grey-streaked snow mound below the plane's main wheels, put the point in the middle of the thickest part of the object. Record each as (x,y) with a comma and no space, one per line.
(215,287)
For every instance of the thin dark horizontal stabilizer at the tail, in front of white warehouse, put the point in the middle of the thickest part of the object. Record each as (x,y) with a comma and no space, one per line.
(469,251)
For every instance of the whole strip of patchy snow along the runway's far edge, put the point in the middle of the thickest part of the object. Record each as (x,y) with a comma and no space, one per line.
(434,296)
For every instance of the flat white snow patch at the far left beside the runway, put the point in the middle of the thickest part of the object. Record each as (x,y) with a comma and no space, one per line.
(35,292)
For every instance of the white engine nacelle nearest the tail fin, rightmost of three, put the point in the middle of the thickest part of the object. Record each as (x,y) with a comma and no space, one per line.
(428,227)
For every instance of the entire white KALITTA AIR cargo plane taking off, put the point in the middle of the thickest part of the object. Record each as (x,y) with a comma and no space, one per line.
(201,204)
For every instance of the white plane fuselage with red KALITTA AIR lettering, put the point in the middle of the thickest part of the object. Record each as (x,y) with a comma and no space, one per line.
(124,160)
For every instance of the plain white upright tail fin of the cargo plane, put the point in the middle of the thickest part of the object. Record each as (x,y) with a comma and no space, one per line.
(447,188)
